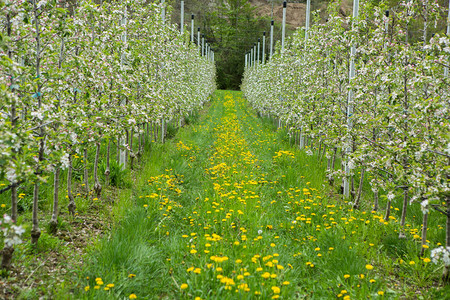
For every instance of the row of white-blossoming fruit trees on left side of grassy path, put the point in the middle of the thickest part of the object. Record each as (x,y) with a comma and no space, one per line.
(74,76)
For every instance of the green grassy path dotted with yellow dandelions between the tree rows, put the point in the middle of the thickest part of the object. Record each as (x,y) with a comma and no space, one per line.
(237,213)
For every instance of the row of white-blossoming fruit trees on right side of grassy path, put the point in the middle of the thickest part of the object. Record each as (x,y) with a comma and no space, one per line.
(394,114)
